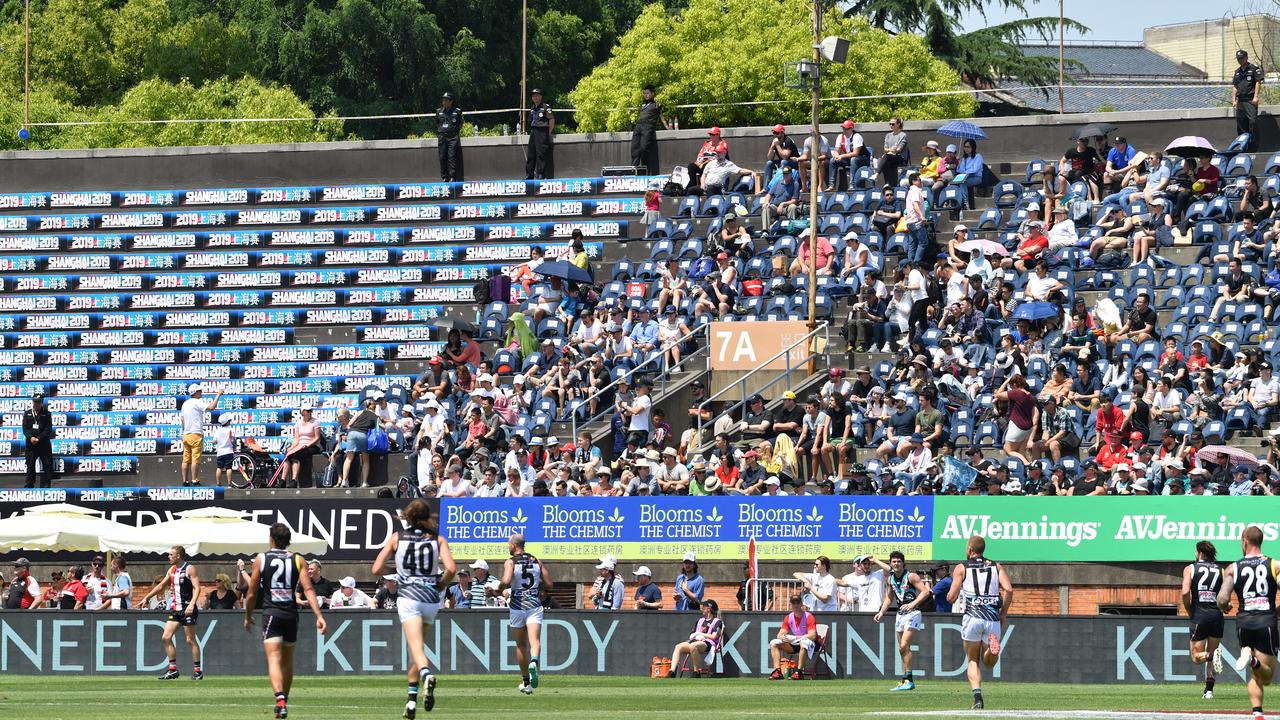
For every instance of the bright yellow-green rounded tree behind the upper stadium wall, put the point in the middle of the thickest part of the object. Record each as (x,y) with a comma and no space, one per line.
(726,53)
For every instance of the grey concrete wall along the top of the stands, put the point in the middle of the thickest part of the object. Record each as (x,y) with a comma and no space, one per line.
(577,156)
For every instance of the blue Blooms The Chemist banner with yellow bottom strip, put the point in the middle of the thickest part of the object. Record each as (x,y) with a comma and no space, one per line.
(716,528)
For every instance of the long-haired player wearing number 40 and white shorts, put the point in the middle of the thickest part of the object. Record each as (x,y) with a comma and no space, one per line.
(424,566)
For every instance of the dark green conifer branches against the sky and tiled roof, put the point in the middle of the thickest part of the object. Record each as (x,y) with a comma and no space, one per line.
(982,57)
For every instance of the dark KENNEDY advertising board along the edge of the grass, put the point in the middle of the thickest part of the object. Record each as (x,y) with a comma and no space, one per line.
(1122,650)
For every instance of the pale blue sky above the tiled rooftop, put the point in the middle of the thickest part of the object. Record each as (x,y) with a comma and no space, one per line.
(1104,24)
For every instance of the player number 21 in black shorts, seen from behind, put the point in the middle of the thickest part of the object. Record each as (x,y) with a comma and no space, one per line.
(278,577)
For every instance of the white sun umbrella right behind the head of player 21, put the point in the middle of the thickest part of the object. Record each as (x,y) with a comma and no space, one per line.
(208,531)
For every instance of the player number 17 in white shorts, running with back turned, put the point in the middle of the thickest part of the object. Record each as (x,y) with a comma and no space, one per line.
(988,595)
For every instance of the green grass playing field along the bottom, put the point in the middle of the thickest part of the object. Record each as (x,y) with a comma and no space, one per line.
(570,698)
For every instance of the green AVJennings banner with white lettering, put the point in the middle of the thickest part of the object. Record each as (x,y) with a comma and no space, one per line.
(1100,528)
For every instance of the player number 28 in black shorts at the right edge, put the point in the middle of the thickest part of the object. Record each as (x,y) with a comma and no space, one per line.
(1254,581)
